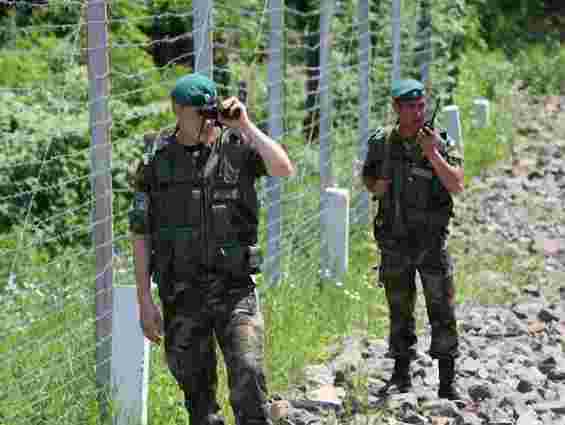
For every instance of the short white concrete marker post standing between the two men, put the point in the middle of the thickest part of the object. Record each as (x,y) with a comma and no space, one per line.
(337,230)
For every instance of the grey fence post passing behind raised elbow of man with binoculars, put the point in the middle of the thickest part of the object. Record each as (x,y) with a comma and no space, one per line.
(274,221)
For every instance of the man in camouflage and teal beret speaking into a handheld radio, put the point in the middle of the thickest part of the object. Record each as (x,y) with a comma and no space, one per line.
(413,170)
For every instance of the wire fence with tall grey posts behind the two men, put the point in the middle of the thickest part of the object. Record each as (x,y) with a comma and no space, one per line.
(318,78)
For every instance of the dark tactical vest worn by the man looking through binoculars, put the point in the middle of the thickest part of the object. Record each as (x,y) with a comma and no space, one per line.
(200,226)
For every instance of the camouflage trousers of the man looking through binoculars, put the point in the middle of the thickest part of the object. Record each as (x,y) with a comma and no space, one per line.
(194,319)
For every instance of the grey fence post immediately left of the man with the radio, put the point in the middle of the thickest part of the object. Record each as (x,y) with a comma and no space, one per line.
(362,213)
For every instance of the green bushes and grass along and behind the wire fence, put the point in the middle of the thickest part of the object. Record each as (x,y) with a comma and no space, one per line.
(47,266)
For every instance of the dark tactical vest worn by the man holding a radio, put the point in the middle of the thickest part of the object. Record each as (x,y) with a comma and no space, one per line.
(425,206)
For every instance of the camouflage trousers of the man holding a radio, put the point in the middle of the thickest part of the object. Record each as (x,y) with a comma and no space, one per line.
(399,262)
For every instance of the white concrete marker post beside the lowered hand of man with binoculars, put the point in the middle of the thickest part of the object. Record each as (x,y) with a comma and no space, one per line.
(130,360)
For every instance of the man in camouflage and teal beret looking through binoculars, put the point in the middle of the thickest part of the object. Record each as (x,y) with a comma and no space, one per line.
(194,231)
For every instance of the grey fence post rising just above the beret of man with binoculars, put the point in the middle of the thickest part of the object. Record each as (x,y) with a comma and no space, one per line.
(202,35)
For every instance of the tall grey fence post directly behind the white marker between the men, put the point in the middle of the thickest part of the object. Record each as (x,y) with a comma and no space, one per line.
(327,7)
